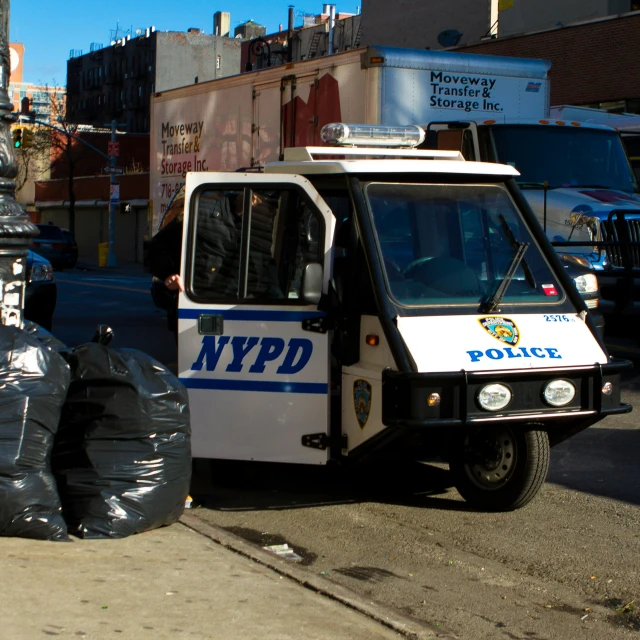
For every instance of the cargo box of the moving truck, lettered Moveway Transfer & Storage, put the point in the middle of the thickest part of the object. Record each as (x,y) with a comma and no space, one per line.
(250,119)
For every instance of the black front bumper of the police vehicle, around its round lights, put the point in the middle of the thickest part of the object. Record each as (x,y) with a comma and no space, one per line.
(405,396)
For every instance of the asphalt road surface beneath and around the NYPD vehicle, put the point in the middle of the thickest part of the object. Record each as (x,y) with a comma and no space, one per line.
(565,567)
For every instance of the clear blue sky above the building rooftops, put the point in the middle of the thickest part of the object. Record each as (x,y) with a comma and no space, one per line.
(50,30)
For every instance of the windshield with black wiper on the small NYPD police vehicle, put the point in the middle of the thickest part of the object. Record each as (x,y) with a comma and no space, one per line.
(453,244)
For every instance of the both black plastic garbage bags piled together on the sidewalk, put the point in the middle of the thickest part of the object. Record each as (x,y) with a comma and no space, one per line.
(94,441)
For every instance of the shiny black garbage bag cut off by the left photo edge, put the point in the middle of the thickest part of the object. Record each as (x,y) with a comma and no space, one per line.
(33,387)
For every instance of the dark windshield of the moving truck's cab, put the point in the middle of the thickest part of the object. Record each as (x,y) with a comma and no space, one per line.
(564,157)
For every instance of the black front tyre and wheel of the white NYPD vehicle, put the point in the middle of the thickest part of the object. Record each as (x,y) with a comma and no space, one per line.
(500,468)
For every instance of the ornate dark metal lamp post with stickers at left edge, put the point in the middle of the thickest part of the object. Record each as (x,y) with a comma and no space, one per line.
(16,231)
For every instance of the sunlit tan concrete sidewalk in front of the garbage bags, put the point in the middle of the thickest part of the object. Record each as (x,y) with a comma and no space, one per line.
(168,583)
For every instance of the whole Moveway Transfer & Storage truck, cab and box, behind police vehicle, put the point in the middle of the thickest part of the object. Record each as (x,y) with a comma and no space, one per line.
(575,176)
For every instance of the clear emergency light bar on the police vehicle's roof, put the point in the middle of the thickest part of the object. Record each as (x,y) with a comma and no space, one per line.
(368,135)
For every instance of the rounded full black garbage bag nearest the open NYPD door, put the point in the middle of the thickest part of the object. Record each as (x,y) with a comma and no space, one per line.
(122,457)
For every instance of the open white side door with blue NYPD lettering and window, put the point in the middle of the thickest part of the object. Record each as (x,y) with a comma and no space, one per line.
(250,347)
